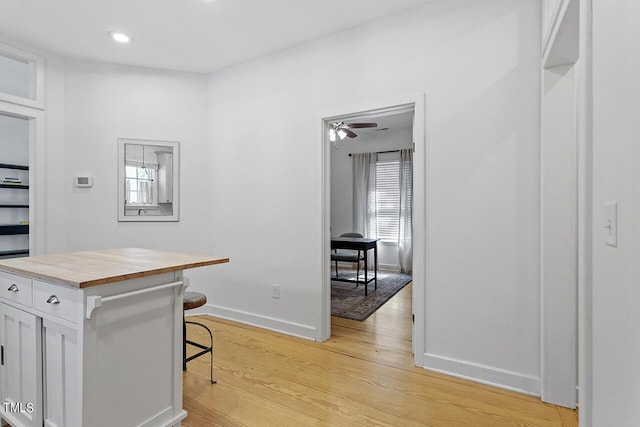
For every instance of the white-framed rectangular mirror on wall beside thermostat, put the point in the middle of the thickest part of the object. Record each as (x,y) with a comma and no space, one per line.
(148,185)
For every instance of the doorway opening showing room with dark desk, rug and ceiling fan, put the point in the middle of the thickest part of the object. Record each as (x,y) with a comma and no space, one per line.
(371,194)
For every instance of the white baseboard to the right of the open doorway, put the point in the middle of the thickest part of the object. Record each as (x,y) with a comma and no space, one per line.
(483,374)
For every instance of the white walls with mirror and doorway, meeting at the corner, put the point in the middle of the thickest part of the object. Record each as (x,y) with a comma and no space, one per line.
(252,173)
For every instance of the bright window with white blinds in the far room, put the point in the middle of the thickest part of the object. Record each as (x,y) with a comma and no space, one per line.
(385,201)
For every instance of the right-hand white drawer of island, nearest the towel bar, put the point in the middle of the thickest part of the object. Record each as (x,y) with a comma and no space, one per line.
(59,301)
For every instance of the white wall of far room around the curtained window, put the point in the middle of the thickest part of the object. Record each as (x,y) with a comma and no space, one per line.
(342,183)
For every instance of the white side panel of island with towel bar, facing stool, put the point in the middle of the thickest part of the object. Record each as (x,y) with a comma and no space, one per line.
(132,360)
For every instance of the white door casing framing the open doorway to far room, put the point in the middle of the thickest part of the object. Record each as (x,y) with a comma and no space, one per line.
(414,108)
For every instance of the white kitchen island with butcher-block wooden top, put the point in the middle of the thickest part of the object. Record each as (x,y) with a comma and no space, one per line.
(93,338)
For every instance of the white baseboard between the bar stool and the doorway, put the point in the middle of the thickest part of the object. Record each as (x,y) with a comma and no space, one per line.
(265,322)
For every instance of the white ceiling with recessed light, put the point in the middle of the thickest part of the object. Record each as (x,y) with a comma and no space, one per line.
(188,35)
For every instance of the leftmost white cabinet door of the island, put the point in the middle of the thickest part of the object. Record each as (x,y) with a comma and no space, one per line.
(20,367)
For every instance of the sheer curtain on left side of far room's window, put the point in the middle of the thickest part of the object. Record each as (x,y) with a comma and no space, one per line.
(364,186)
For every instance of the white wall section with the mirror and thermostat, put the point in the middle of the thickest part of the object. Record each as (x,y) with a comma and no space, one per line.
(90,105)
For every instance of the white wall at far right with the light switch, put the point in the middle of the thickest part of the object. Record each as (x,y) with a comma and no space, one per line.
(616,271)
